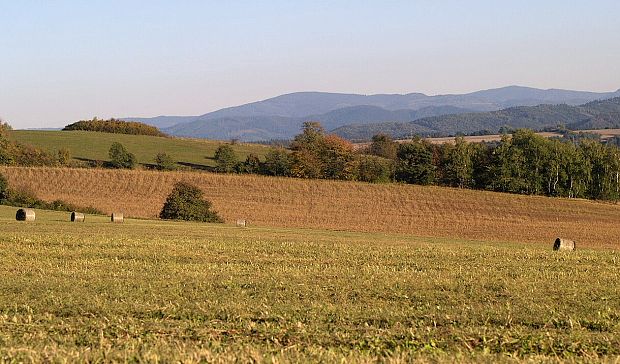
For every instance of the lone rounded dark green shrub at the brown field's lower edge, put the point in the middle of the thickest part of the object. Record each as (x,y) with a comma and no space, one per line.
(186,202)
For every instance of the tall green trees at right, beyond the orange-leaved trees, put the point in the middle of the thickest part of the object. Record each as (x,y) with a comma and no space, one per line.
(524,163)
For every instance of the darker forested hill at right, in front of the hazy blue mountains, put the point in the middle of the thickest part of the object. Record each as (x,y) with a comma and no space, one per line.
(599,114)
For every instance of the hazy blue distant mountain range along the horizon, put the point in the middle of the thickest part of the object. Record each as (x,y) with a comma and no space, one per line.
(281,117)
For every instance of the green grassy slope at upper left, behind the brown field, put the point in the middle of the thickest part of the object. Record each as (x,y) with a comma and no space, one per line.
(95,146)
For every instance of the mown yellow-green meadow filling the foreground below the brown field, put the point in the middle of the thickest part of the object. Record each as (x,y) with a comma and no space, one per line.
(147,290)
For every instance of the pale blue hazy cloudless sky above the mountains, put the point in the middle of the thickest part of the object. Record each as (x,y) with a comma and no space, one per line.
(61,61)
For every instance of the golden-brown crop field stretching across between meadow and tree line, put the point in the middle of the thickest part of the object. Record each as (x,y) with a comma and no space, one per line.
(285,202)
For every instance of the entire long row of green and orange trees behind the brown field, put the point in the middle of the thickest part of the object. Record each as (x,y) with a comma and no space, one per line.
(522,162)
